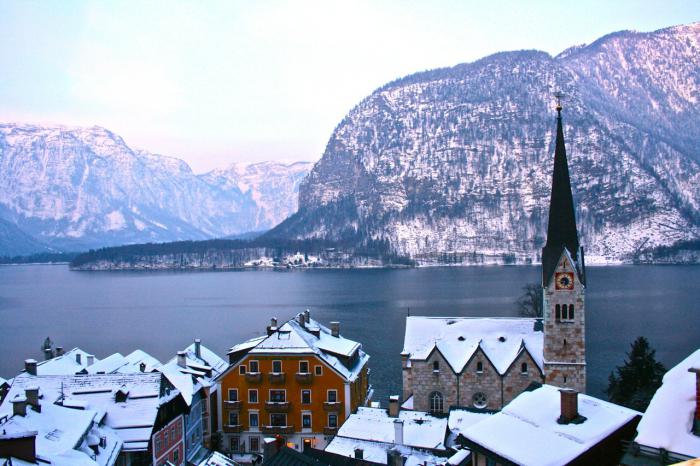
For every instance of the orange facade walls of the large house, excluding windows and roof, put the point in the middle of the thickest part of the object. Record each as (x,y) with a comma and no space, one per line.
(319,385)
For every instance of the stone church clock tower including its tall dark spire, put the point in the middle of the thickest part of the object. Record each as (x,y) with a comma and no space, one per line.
(563,282)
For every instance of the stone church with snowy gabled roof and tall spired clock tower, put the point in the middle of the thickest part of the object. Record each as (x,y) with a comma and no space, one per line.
(486,362)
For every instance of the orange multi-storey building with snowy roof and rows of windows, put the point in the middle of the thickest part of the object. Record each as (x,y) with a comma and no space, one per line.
(300,381)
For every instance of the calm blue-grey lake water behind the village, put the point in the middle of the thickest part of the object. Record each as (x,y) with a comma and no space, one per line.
(161,312)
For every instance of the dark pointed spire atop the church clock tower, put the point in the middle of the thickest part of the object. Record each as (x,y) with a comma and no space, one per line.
(561,229)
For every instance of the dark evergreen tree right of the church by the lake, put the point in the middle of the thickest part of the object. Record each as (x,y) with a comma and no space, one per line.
(638,379)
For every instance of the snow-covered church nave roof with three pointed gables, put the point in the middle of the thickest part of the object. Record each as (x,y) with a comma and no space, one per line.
(457,338)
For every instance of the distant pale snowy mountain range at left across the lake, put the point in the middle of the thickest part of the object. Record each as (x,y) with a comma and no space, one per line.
(74,188)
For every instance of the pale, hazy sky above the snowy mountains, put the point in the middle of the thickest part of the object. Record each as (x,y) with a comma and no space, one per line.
(217,82)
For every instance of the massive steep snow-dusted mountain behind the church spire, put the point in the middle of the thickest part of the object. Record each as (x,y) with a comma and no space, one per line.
(454,165)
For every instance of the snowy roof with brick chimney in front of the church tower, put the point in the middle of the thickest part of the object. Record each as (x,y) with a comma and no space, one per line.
(526,430)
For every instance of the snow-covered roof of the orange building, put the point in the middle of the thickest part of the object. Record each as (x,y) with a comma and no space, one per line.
(310,338)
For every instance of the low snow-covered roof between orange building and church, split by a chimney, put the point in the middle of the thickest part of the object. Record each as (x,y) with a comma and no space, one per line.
(420,430)
